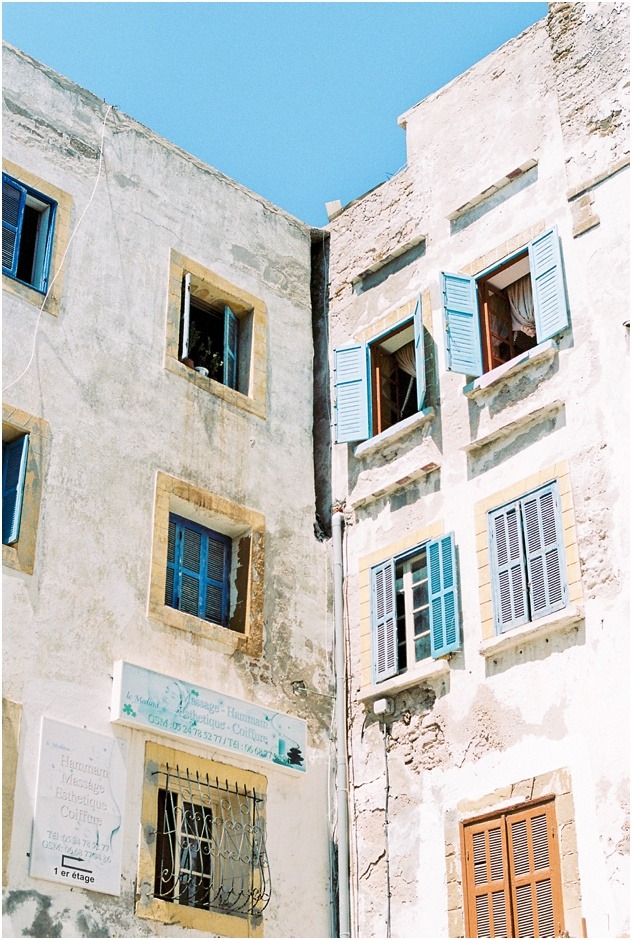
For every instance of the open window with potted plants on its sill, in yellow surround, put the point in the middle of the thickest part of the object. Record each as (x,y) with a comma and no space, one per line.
(209,337)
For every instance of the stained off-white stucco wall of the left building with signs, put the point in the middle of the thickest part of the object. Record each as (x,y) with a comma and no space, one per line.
(116,416)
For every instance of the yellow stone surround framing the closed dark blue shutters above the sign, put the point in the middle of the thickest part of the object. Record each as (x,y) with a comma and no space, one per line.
(220,514)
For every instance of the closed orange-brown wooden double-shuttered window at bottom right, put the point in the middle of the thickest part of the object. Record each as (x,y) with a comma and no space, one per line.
(511,869)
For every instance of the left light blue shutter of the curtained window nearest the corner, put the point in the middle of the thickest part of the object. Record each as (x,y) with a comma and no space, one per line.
(351,393)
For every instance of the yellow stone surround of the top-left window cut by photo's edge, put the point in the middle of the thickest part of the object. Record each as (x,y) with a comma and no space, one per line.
(61,238)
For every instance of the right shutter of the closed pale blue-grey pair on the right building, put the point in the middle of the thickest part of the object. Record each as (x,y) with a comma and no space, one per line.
(542,521)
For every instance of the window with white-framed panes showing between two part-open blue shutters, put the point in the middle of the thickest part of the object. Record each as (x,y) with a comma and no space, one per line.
(414,607)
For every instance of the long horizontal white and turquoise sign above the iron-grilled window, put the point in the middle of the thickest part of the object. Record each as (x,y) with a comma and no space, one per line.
(148,700)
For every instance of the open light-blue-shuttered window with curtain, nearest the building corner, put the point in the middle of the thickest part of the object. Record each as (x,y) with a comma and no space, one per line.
(380,384)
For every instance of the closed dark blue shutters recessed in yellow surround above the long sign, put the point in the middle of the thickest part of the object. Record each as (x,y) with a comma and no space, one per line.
(198,571)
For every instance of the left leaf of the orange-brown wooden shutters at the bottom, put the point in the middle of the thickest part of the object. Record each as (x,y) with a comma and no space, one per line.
(488,899)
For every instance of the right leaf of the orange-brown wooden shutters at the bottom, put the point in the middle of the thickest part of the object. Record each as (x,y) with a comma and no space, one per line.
(535,872)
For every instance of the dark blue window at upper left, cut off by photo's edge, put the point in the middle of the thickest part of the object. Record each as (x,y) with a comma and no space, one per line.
(28,220)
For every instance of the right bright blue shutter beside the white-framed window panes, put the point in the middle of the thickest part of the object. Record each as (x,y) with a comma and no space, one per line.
(445,633)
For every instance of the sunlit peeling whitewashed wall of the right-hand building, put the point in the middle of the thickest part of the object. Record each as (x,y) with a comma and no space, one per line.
(489,731)
